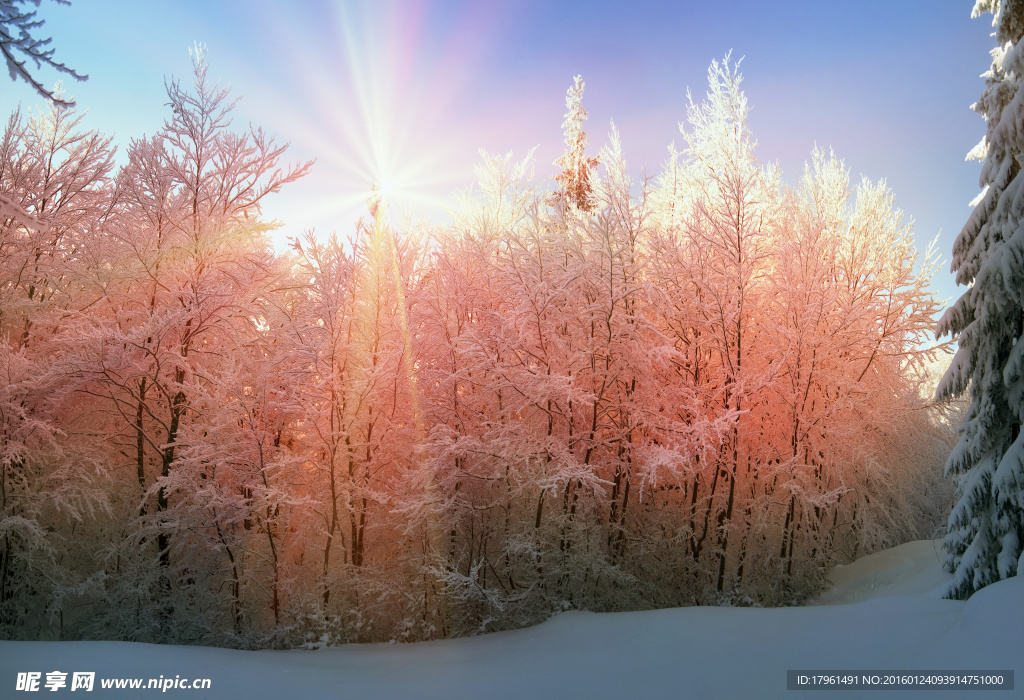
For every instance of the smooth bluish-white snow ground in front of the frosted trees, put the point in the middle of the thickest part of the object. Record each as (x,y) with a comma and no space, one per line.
(884,615)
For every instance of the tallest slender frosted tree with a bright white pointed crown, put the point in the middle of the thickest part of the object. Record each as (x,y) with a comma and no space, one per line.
(731,228)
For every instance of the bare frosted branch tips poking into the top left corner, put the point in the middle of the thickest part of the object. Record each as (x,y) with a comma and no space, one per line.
(18,27)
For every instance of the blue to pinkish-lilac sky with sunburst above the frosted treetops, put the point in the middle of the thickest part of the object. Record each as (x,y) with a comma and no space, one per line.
(409,92)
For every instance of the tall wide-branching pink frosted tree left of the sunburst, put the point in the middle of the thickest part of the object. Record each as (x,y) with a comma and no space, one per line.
(176,332)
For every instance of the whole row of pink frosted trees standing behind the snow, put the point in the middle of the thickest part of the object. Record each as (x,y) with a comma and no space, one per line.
(707,388)
